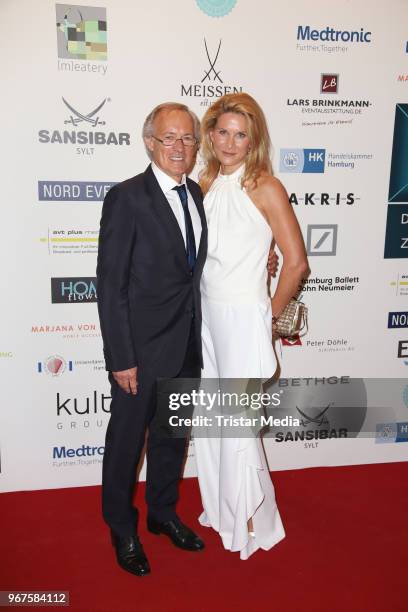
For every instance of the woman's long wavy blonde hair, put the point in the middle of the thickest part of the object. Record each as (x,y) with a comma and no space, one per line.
(258,159)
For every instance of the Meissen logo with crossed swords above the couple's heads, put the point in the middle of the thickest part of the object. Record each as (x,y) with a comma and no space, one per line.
(211,84)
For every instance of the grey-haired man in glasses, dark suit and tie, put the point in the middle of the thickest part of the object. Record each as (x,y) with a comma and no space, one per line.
(152,248)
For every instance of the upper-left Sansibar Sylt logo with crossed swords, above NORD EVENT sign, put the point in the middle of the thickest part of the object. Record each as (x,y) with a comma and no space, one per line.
(82,133)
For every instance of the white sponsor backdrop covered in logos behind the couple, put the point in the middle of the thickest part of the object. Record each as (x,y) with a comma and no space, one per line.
(78,82)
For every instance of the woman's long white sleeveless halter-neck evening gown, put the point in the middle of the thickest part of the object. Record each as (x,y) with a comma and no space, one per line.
(233,474)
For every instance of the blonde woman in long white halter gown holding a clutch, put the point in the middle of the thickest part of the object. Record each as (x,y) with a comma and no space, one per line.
(246,208)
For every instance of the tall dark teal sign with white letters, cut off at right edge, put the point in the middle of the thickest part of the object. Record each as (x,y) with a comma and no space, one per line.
(396,236)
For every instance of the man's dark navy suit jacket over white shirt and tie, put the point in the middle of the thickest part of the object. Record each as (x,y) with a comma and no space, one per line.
(146,293)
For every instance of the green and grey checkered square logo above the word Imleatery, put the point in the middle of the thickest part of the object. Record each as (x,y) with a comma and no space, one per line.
(81,32)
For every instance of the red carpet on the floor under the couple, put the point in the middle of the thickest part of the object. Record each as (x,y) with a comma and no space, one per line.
(346,549)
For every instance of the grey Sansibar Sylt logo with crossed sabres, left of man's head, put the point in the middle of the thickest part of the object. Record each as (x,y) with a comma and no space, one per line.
(74,137)
